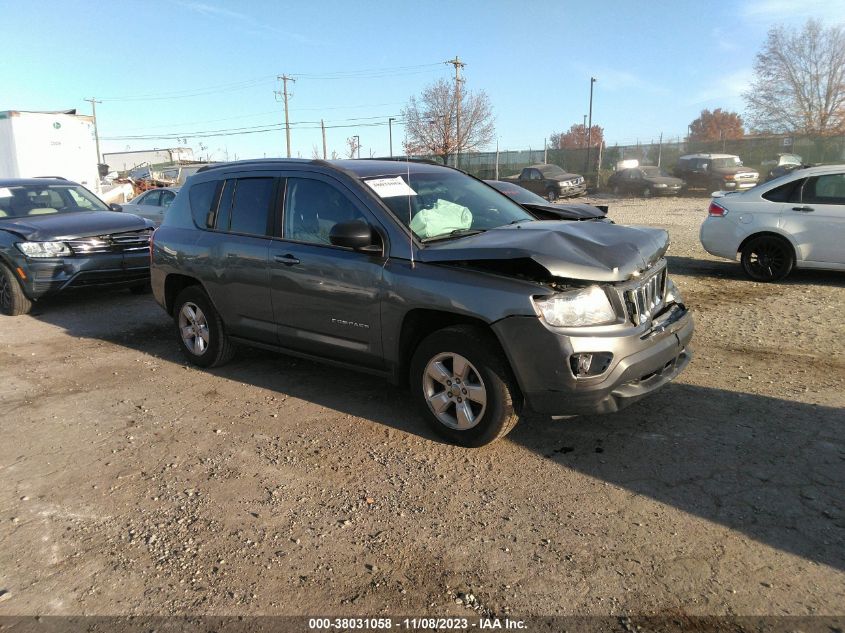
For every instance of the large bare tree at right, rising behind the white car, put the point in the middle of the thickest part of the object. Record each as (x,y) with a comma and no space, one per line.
(799,81)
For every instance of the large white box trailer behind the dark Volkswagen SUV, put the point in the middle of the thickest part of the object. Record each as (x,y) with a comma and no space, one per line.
(60,144)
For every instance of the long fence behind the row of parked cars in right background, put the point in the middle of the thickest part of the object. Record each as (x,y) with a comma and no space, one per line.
(753,150)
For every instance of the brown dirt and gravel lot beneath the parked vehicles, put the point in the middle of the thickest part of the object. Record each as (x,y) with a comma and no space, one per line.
(134,484)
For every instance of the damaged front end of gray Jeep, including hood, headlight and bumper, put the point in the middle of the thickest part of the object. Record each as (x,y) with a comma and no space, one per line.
(609,328)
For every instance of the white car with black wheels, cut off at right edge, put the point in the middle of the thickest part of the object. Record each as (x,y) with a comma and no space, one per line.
(795,221)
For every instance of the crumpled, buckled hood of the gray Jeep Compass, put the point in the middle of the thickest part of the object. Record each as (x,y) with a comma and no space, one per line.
(590,251)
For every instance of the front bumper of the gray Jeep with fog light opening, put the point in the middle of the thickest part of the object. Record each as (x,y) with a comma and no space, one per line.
(643,362)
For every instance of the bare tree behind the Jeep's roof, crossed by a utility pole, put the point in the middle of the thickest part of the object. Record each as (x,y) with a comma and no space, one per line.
(430,121)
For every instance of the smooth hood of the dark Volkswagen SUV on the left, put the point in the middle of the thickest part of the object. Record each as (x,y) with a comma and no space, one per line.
(63,226)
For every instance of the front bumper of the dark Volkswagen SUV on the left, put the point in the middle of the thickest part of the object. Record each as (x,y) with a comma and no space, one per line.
(46,277)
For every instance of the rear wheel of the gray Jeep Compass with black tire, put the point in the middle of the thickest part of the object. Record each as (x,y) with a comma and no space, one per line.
(217,349)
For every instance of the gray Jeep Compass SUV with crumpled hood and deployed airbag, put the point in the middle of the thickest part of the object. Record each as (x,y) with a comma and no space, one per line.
(422,275)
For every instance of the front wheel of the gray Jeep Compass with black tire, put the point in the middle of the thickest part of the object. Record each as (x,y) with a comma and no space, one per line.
(488,368)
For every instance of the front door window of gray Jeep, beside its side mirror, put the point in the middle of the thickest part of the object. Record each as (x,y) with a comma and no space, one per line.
(312,208)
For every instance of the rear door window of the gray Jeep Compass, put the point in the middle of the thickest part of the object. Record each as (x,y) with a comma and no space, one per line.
(245,206)
